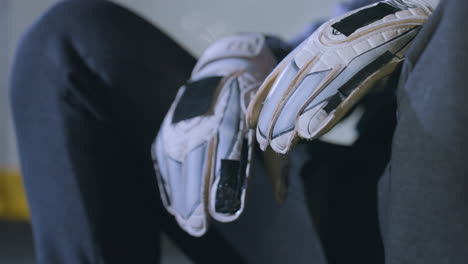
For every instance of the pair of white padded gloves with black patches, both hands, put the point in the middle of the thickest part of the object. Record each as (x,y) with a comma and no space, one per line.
(239,92)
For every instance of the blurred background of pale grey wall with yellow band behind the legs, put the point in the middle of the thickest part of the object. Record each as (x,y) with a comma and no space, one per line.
(194,24)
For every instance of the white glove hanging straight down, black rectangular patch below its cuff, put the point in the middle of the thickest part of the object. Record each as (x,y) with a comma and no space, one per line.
(204,147)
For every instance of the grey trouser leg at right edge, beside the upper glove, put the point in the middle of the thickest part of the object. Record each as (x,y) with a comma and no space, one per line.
(425,189)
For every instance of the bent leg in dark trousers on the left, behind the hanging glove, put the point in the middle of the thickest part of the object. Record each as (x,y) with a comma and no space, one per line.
(90,86)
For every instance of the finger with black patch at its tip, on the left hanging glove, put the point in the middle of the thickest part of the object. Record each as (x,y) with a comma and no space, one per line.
(227,191)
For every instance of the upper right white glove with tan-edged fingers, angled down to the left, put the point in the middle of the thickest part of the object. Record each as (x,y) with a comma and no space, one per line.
(327,74)
